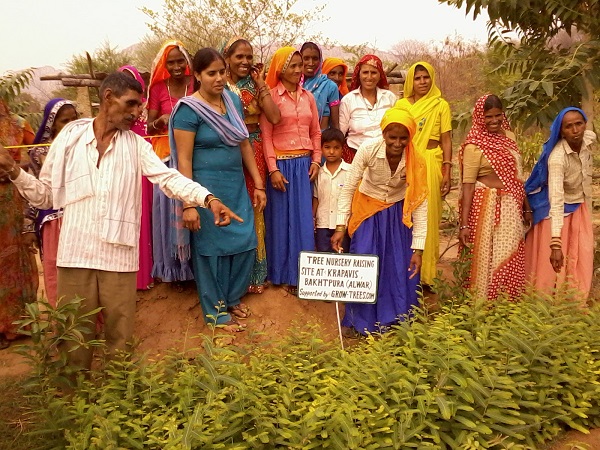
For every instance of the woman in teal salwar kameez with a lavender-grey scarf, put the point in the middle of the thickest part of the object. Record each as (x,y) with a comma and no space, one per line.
(211,144)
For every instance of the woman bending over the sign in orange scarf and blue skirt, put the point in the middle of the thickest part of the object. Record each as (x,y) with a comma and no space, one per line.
(386,216)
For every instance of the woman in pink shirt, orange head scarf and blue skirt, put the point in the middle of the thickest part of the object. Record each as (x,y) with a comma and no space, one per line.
(293,153)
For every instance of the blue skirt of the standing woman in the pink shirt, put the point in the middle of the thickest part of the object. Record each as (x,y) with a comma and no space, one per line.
(288,220)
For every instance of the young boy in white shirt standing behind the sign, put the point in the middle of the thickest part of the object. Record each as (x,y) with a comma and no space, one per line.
(327,188)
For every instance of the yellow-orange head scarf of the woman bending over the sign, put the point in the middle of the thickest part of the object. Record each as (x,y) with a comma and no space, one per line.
(416,169)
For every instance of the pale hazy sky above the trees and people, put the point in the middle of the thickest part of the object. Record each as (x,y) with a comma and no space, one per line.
(50,32)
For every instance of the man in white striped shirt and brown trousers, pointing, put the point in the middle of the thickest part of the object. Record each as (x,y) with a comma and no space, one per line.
(94,171)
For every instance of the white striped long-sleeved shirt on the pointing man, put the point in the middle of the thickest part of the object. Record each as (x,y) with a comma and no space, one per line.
(80,244)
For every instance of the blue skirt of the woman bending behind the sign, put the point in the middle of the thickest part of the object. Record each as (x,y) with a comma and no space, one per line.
(386,236)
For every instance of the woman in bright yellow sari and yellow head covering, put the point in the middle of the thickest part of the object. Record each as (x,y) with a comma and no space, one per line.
(433,141)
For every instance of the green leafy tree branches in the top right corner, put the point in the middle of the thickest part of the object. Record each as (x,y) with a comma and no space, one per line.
(554,47)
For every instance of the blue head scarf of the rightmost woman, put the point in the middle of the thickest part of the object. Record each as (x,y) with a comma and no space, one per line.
(537,183)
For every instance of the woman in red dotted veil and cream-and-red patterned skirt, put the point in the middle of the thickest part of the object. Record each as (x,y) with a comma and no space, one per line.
(494,208)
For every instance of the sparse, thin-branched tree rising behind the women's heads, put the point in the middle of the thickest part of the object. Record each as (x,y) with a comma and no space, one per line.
(210,23)
